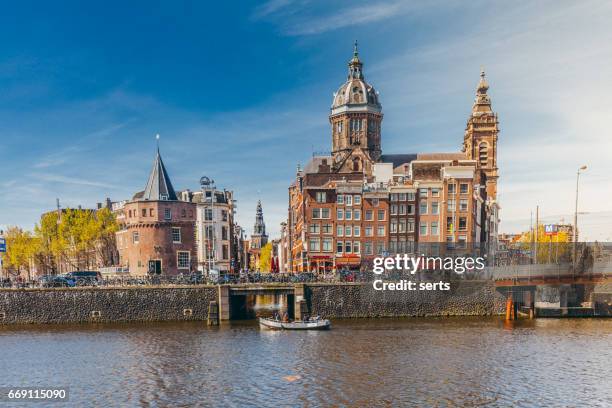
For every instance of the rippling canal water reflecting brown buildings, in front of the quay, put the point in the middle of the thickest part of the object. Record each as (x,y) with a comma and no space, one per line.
(387,362)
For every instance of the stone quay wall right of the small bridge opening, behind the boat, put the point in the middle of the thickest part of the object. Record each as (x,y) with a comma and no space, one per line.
(466,298)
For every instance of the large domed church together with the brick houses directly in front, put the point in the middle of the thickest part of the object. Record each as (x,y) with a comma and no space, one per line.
(357,203)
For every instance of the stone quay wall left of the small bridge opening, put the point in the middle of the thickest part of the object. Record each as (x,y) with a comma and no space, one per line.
(89,305)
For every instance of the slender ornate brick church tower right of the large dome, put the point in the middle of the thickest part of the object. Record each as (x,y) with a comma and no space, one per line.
(480,139)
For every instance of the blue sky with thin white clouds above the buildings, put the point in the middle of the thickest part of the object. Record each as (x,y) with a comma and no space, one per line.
(241,92)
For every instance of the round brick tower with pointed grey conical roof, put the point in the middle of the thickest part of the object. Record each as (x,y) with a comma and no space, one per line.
(157,233)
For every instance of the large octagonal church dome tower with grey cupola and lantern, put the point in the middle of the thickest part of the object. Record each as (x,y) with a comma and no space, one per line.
(355,119)
